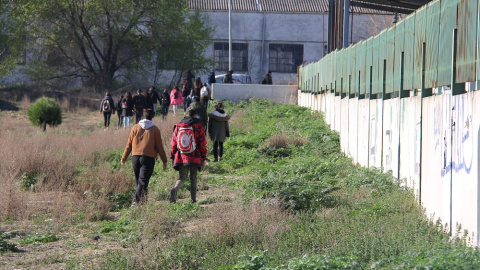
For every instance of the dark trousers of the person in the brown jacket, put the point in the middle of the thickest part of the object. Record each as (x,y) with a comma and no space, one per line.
(143,168)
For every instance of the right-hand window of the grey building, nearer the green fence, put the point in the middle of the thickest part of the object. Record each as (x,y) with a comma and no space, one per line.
(285,57)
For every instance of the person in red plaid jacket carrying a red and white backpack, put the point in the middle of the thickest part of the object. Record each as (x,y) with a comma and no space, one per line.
(189,153)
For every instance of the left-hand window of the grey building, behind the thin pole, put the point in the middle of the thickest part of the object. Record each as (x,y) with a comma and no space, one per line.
(239,56)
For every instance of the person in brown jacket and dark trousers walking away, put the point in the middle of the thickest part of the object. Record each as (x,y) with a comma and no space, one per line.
(145,144)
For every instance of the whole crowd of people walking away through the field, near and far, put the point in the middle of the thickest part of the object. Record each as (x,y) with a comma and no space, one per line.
(188,147)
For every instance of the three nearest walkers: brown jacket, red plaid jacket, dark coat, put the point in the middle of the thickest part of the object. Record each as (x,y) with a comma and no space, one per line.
(188,148)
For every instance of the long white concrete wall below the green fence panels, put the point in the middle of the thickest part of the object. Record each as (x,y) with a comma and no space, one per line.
(431,144)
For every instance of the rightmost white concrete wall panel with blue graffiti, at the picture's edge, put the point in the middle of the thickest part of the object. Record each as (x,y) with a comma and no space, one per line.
(465,162)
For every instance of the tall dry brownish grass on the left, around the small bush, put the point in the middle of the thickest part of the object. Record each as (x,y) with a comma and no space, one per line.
(68,163)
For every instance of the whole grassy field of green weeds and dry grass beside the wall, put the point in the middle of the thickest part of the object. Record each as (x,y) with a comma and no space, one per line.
(283,197)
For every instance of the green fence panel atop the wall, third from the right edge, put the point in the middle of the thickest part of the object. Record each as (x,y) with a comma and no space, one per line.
(432,35)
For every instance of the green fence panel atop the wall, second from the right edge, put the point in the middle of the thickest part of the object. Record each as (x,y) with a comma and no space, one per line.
(448,23)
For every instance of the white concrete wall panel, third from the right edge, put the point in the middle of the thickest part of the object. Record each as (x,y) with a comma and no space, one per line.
(410,143)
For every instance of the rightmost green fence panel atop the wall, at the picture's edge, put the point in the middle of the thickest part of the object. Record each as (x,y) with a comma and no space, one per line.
(467,40)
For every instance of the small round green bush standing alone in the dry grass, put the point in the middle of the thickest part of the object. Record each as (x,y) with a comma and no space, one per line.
(45,111)
